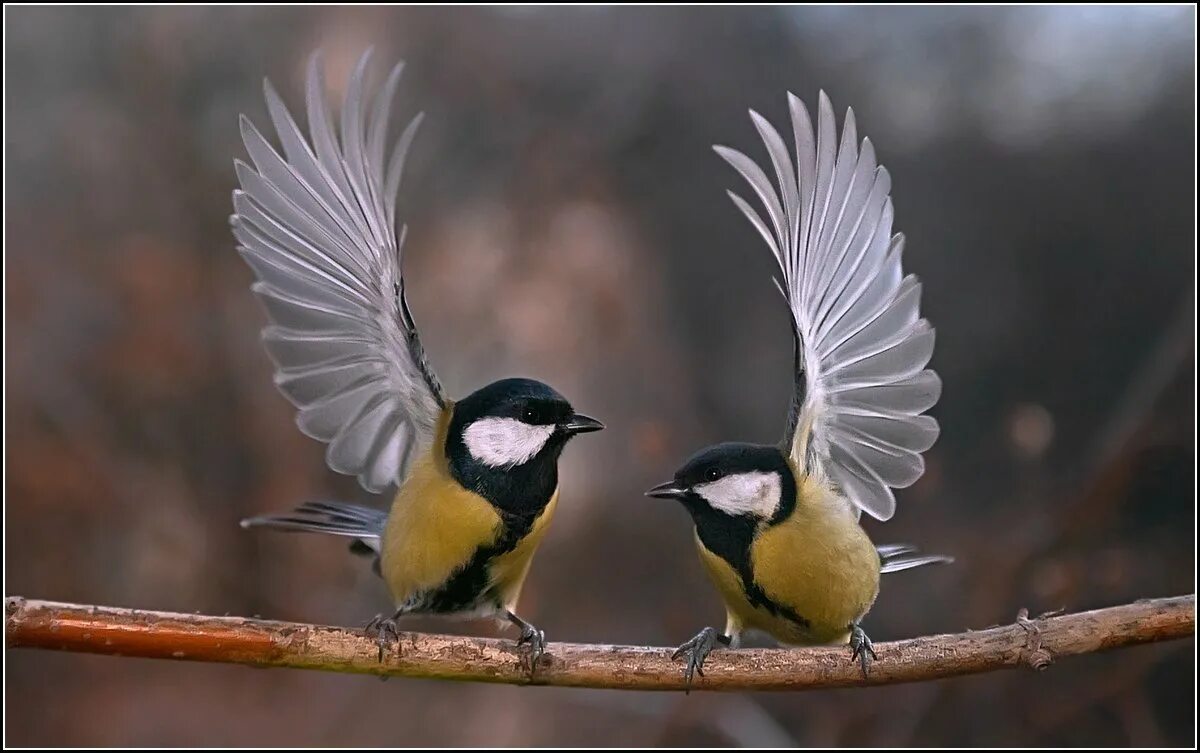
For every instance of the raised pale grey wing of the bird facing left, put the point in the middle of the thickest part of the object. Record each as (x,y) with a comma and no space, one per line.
(861,344)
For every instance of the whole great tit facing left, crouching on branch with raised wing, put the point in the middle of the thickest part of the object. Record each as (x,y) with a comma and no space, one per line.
(778,526)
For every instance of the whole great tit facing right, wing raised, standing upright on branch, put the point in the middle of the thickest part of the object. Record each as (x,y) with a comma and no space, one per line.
(475,481)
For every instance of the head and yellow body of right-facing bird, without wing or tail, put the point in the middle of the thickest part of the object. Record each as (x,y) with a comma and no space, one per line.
(464,528)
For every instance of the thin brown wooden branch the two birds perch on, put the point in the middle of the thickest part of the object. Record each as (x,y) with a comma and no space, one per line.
(1028,643)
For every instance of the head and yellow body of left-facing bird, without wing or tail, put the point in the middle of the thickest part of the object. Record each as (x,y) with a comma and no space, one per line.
(785,551)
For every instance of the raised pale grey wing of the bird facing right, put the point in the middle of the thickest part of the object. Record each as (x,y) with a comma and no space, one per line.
(319,227)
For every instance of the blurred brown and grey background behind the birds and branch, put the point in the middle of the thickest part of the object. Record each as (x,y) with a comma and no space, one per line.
(568,222)
